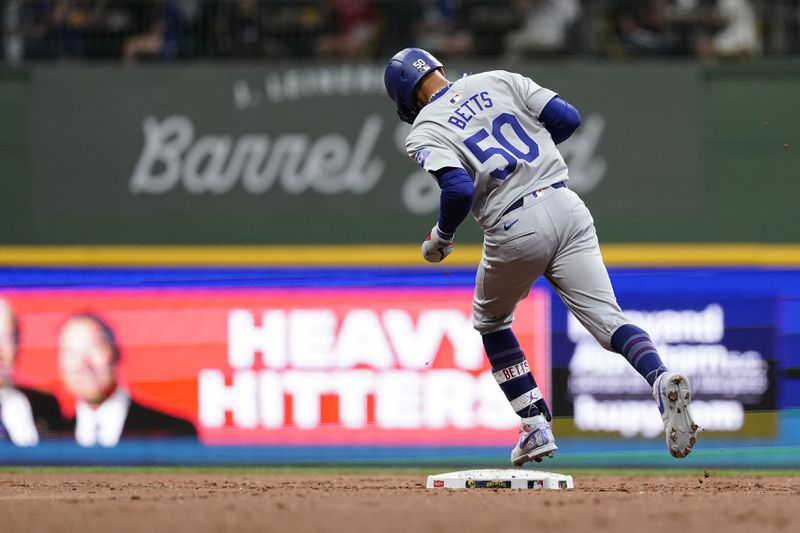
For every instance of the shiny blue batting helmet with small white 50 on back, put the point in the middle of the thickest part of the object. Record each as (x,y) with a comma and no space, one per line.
(402,76)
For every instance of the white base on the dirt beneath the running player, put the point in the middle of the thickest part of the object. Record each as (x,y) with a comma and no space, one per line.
(500,479)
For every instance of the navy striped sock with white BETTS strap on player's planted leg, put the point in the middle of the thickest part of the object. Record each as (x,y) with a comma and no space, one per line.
(511,371)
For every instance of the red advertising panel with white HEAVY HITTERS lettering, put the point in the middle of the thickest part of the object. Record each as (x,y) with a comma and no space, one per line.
(294,366)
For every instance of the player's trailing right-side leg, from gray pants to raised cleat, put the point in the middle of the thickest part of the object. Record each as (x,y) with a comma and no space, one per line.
(580,278)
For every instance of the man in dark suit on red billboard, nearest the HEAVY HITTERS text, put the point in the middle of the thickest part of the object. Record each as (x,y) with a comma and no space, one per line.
(104,411)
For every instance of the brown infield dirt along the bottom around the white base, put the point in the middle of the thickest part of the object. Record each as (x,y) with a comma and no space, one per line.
(215,502)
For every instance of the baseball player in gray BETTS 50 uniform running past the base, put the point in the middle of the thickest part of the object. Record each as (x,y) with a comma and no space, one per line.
(489,140)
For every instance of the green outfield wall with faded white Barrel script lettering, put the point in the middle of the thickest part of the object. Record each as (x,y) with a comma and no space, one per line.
(278,154)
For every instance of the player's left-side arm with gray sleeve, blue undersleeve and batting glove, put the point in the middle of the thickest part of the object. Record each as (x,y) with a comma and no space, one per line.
(455,198)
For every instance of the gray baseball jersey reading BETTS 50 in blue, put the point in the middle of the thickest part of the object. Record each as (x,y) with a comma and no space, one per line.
(487,124)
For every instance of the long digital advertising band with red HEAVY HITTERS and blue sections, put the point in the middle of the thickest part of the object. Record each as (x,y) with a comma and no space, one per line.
(330,360)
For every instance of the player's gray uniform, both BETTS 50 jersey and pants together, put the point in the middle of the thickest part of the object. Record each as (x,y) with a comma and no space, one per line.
(488,124)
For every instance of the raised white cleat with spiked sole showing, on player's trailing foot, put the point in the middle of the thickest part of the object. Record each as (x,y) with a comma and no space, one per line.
(673,394)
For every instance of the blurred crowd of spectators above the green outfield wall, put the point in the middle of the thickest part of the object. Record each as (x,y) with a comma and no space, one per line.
(137,30)
